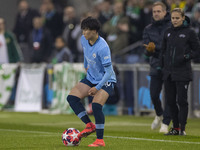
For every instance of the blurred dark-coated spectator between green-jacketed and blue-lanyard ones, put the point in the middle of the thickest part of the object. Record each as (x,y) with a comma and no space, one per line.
(23,26)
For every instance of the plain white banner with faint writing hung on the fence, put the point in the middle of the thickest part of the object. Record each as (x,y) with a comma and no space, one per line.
(30,88)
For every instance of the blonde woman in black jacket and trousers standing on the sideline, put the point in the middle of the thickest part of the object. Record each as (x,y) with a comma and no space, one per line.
(180,45)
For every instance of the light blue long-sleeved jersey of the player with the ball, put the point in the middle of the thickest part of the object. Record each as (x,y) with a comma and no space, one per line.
(96,58)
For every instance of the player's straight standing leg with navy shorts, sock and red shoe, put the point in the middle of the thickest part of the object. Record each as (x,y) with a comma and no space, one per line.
(98,101)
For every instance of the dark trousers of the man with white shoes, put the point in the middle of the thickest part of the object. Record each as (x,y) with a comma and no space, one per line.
(155,89)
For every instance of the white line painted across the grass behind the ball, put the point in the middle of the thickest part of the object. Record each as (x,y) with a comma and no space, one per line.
(114,137)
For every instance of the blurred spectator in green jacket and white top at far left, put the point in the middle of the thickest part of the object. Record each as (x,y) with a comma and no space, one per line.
(10,51)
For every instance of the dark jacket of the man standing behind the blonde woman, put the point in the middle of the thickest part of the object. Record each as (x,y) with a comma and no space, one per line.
(154,32)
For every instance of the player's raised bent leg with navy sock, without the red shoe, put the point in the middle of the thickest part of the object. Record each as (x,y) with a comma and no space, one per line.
(74,99)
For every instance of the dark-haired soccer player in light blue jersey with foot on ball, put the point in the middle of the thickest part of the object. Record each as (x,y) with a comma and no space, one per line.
(99,81)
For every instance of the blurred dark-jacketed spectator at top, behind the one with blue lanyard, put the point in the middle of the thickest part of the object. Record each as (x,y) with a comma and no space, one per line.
(53,19)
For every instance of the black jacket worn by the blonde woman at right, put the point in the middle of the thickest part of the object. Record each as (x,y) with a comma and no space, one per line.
(177,43)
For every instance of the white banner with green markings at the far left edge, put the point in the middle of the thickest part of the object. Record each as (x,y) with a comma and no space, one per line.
(7,80)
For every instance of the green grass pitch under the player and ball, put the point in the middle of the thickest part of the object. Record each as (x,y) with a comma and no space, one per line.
(27,131)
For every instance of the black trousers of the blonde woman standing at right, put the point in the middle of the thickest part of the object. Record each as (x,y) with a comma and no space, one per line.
(176,96)
